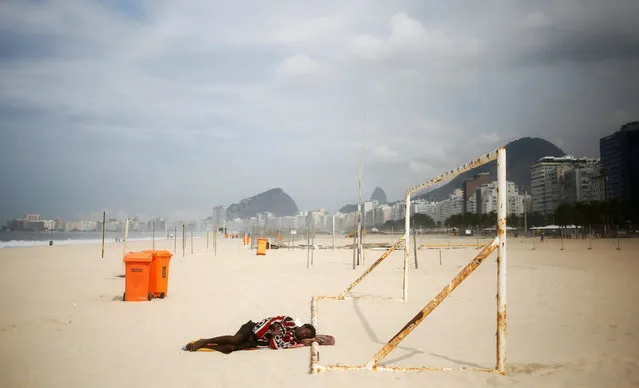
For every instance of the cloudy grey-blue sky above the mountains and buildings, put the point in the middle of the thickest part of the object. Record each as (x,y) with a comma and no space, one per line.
(168,108)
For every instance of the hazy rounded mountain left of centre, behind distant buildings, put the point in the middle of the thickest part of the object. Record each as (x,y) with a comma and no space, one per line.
(275,201)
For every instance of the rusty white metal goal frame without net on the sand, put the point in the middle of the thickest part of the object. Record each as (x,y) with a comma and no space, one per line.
(498,243)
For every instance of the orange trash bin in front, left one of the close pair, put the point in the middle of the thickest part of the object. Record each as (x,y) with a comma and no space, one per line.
(136,279)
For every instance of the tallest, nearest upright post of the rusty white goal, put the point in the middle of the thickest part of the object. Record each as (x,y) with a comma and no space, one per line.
(502,211)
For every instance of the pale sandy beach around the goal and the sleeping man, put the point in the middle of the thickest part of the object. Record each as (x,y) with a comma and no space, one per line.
(573,317)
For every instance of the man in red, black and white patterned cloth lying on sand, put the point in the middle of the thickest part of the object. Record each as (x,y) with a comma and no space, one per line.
(279,332)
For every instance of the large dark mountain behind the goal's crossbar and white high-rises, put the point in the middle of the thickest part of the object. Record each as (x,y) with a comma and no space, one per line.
(520,154)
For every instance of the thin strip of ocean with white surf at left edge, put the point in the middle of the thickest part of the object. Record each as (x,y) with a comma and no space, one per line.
(19,239)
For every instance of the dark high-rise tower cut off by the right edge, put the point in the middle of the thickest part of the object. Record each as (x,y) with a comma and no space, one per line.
(620,161)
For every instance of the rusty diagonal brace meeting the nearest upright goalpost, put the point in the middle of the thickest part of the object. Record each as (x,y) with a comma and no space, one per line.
(417,319)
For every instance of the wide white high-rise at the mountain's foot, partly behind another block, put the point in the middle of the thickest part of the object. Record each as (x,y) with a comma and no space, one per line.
(545,177)
